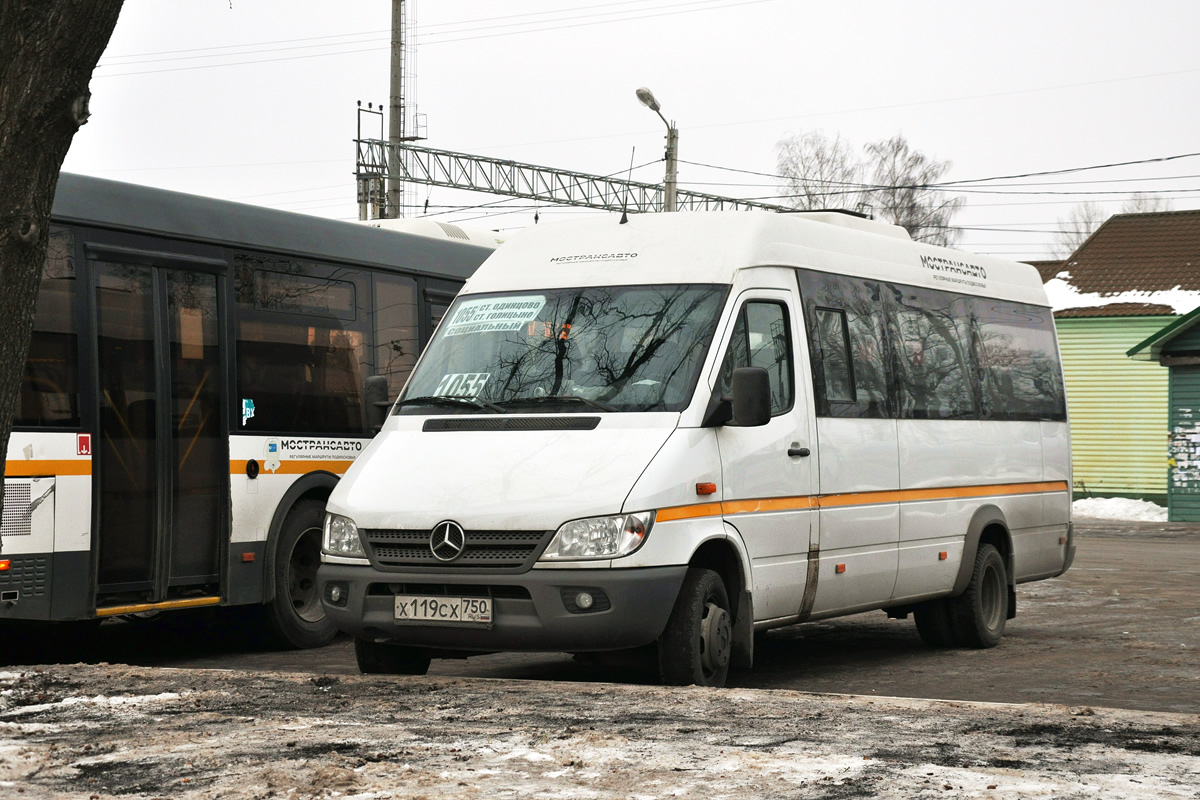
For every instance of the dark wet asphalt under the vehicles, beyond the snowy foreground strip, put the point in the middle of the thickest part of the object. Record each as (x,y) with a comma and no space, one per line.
(1120,630)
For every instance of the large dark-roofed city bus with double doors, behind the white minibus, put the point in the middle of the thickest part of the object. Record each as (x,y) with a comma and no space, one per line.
(201,375)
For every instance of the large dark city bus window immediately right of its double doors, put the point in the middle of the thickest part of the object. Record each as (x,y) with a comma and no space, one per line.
(303,341)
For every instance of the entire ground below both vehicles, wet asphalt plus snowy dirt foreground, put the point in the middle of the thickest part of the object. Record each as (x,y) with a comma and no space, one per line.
(1095,693)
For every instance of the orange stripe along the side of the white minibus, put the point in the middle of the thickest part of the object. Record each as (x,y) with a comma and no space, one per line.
(853,500)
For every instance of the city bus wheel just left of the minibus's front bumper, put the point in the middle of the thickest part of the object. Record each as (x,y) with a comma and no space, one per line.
(295,613)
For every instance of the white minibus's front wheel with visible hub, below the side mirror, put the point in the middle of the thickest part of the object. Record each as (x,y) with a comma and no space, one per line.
(697,645)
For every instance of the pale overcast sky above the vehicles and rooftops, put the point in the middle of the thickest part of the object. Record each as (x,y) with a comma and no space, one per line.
(255,100)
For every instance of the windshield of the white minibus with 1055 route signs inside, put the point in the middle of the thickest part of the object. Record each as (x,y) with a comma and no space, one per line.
(581,350)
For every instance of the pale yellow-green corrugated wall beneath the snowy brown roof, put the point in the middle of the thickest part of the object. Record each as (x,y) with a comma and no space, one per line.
(1118,407)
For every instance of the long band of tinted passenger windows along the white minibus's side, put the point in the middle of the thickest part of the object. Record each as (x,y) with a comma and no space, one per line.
(939,356)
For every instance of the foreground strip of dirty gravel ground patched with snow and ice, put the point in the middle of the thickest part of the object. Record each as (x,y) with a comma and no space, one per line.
(101,732)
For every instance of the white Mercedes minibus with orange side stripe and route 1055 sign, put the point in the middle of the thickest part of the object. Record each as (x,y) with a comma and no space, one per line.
(681,430)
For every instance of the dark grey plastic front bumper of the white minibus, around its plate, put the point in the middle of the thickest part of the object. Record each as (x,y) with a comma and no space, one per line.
(530,612)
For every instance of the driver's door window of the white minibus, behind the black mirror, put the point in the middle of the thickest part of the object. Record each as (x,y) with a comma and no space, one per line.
(761,339)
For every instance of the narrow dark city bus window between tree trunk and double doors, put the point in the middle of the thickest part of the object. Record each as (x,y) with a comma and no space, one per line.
(50,394)
